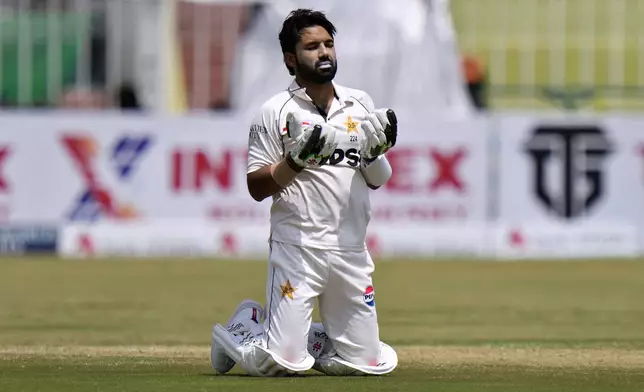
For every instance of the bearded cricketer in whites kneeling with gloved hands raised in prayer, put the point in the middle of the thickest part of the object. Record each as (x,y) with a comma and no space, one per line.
(318,149)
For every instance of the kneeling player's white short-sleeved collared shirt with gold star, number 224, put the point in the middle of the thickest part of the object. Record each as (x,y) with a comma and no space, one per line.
(325,207)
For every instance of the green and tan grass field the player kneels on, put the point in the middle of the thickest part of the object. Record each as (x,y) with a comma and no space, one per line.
(143,325)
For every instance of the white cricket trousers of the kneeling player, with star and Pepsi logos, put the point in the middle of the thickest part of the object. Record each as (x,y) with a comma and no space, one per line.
(342,283)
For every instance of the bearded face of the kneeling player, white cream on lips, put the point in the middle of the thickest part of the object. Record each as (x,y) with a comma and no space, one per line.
(315,59)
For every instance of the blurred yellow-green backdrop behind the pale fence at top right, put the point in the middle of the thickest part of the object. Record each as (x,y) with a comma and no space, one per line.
(586,46)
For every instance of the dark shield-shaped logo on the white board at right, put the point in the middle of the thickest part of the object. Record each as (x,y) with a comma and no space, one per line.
(579,153)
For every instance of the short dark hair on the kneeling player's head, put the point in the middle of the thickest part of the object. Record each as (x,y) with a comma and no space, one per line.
(298,20)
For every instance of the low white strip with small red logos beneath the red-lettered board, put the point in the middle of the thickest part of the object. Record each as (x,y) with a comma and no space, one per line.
(213,239)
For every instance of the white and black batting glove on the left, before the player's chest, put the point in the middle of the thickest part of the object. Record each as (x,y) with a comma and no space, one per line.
(314,143)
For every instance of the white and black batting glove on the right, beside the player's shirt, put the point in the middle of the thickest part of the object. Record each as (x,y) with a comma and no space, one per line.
(381,131)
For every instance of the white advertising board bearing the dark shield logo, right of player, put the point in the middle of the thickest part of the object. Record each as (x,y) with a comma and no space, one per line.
(571,170)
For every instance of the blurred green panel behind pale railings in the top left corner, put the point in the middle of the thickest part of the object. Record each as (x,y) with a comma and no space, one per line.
(70,24)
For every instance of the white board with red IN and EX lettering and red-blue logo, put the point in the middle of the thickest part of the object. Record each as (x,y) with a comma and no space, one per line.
(195,168)
